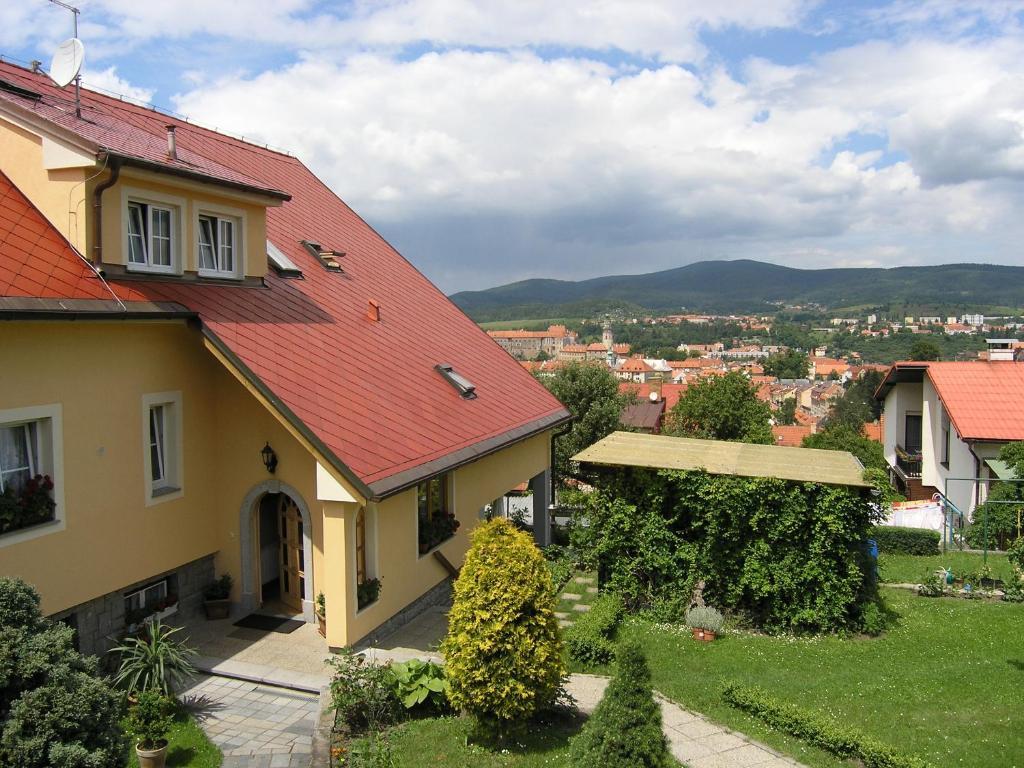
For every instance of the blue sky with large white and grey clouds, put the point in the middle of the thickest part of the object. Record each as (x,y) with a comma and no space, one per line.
(492,142)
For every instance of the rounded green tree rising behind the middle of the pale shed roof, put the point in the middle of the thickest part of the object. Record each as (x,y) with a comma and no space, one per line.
(722,408)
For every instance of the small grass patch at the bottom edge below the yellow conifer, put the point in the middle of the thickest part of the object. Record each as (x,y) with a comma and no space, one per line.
(444,742)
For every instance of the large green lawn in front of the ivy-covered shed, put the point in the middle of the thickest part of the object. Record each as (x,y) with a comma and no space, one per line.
(944,685)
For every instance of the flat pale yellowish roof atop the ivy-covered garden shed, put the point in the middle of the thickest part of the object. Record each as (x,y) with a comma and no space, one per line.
(721,458)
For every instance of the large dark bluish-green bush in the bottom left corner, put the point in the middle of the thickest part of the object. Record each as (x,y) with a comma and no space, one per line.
(56,711)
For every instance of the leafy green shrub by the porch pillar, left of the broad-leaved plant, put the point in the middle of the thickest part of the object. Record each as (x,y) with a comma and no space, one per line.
(362,694)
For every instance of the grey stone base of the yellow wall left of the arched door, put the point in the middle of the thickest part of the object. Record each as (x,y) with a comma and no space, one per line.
(101,622)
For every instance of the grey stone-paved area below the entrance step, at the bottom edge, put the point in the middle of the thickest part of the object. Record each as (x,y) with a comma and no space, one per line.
(253,724)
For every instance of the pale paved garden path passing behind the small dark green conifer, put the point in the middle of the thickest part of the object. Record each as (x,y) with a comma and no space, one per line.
(695,742)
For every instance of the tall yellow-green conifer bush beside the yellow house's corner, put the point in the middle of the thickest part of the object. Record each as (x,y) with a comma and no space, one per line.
(503,652)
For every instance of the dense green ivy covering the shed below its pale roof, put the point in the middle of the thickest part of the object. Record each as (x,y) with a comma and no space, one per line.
(790,557)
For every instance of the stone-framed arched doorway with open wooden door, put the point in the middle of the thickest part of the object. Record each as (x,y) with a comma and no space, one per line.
(277,549)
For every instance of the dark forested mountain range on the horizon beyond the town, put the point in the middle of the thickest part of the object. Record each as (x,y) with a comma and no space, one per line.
(753,286)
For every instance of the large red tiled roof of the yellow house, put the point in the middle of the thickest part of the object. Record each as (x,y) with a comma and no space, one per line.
(307,344)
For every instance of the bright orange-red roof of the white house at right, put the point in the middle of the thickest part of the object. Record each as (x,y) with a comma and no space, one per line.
(984,399)
